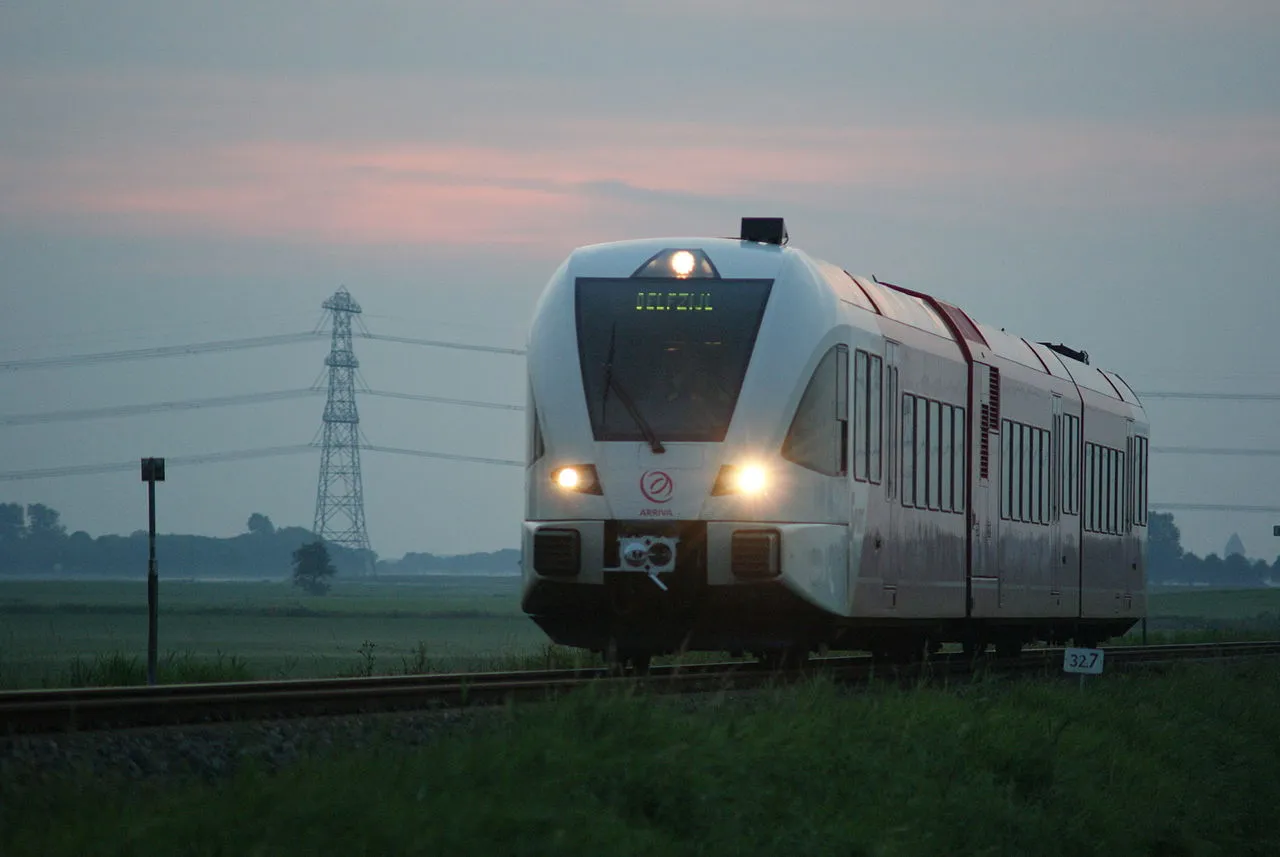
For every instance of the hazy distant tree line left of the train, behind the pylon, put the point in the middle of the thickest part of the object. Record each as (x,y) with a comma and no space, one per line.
(35,542)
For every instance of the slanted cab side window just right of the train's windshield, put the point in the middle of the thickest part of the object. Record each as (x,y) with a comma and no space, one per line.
(819,438)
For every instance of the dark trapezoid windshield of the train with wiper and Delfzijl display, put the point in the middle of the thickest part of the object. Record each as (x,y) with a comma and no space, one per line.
(664,360)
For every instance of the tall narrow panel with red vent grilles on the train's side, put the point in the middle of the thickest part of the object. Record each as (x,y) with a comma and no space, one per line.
(985,482)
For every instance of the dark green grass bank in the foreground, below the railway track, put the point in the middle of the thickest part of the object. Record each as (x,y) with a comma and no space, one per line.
(1163,766)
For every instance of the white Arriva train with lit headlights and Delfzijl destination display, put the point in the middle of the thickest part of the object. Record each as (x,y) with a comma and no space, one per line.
(737,447)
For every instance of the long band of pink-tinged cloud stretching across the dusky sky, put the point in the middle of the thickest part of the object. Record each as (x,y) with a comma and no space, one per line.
(452,194)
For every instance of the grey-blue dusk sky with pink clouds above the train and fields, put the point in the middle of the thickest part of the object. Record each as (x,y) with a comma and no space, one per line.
(1094,173)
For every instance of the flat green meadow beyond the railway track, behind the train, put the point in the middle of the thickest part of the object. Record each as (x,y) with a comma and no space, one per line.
(58,633)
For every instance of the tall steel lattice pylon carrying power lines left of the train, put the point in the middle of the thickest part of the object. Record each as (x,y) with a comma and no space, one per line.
(340,496)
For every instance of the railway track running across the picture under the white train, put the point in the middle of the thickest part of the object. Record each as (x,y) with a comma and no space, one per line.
(89,709)
